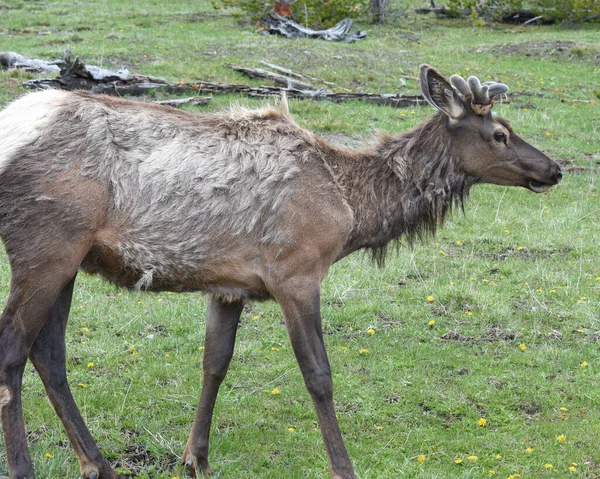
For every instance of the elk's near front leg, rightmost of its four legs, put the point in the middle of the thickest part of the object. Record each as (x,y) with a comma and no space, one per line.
(301,308)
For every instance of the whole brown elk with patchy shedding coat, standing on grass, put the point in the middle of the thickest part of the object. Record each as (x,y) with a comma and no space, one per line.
(243,205)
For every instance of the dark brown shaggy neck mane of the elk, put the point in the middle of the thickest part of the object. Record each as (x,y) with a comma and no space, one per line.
(401,187)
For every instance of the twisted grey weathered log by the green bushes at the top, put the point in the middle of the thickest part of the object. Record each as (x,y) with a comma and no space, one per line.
(281,25)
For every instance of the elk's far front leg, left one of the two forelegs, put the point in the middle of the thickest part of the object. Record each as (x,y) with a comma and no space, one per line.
(221,327)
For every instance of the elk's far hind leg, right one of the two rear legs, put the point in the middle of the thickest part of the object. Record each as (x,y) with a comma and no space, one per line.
(48,355)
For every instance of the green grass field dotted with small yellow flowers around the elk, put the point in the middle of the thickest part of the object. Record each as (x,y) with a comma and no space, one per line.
(474,354)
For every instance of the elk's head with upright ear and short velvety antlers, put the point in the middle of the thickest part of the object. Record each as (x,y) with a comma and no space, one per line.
(486,147)
